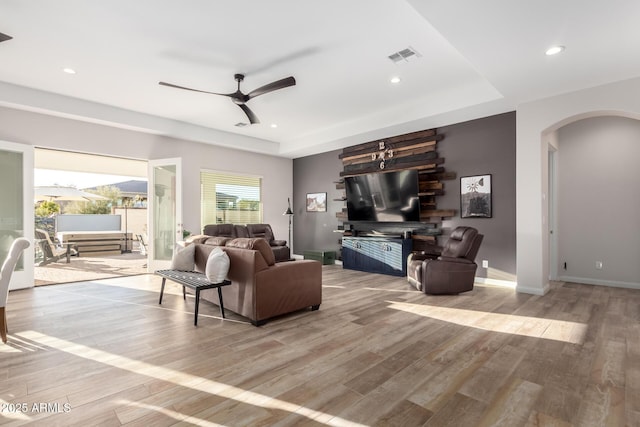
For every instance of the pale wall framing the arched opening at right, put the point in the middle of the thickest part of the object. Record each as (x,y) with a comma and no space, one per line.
(535,121)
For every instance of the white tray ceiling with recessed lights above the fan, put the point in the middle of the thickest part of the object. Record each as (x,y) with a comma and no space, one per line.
(477,58)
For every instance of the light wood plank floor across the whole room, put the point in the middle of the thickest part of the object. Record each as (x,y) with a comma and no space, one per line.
(376,353)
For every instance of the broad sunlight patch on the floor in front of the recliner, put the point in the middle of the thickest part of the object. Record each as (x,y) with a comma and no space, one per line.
(558,330)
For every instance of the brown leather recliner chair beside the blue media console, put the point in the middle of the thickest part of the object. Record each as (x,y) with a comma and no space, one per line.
(451,272)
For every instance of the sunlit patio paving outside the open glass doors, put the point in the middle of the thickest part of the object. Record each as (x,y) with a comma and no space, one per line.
(92,268)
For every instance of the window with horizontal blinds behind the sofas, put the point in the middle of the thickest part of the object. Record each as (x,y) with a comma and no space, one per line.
(230,199)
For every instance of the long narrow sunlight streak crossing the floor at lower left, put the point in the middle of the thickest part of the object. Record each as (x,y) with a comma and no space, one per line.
(181,378)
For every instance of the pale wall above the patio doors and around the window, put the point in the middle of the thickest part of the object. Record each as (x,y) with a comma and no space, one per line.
(46,131)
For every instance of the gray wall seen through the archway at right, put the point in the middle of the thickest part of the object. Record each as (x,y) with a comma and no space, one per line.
(598,203)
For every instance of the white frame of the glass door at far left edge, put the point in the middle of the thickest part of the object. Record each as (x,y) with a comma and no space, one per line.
(23,278)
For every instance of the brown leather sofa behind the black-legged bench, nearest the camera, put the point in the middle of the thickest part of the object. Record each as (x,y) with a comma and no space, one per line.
(261,289)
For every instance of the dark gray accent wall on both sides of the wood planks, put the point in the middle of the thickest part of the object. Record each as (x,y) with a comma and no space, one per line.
(483,146)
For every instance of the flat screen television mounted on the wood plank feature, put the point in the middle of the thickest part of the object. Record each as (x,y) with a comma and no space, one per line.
(383,197)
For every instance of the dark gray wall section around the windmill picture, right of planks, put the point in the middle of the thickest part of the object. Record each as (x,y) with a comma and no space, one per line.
(480,147)
